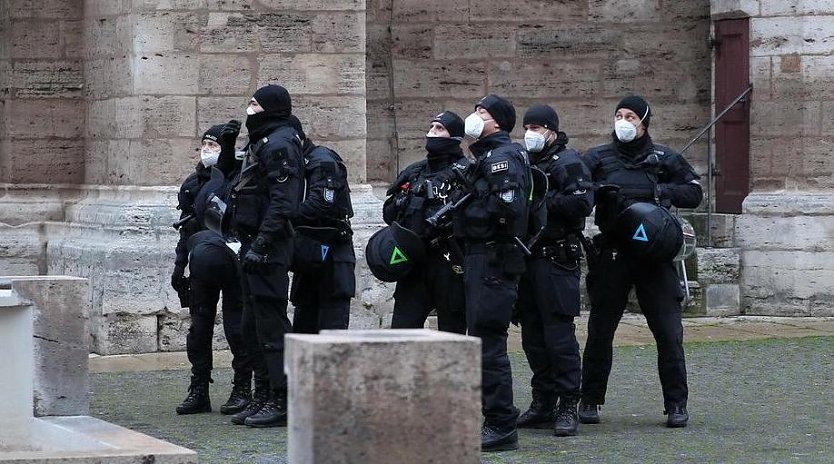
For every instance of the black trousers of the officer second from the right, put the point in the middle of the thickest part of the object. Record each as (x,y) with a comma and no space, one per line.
(548,301)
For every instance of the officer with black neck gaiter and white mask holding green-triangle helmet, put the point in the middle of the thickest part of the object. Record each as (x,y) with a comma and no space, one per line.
(417,194)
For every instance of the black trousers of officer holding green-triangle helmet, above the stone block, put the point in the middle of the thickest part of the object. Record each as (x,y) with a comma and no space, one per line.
(433,286)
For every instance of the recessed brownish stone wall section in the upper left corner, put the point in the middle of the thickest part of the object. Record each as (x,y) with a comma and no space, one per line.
(41,92)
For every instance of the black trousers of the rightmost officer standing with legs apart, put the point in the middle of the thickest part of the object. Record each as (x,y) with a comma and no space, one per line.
(659,293)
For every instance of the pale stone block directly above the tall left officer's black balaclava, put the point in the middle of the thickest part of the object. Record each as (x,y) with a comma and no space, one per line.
(314,74)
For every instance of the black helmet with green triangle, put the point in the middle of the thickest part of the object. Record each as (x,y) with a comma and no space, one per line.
(393,252)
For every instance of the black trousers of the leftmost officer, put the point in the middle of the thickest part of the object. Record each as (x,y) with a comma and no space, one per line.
(214,270)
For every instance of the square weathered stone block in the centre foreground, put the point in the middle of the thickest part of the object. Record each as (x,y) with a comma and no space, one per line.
(383,396)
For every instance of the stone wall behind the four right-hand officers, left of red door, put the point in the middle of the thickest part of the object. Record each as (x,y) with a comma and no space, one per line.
(579,56)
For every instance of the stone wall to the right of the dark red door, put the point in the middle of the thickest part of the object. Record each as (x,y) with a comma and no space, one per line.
(785,230)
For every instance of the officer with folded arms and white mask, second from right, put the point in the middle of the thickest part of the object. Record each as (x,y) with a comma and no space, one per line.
(548,298)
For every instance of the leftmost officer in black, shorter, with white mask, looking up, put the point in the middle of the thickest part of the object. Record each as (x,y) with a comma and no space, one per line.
(212,268)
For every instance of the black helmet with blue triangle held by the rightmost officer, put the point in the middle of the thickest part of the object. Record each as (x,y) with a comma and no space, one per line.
(648,231)
